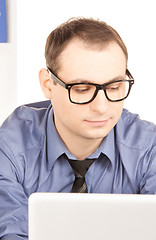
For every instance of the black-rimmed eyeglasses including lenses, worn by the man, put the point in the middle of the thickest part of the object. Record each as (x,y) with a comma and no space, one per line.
(83,93)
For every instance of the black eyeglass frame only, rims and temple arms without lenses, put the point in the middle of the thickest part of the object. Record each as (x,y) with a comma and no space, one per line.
(98,86)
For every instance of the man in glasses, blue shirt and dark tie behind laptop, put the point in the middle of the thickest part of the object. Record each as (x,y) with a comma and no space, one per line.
(82,131)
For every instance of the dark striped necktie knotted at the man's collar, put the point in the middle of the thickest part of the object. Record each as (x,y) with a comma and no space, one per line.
(80,168)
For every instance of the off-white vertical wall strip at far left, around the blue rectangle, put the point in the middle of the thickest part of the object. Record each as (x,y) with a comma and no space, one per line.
(8,64)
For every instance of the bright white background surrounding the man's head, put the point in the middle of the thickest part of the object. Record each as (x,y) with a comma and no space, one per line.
(133,19)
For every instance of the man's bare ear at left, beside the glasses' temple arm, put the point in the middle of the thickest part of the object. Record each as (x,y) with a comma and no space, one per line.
(45,82)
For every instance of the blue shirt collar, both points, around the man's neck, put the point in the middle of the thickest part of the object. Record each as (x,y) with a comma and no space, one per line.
(56,147)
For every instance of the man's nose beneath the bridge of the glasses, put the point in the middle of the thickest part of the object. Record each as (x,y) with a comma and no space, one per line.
(100,103)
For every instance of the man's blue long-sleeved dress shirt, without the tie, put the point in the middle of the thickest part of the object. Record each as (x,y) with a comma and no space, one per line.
(32,160)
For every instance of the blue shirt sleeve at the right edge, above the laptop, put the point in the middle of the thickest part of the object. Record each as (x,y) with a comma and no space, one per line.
(147,172)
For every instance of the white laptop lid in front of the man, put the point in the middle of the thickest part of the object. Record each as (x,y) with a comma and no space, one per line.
(75,216)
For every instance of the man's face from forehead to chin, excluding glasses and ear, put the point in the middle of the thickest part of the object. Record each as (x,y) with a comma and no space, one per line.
(80,63)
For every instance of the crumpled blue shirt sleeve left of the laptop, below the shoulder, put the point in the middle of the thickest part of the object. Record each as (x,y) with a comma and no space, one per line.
(13,201)
